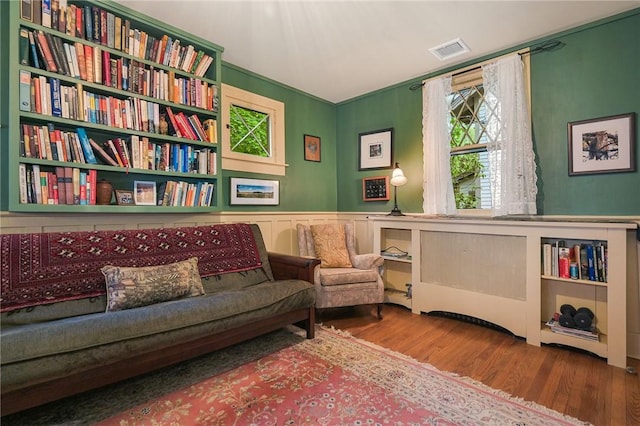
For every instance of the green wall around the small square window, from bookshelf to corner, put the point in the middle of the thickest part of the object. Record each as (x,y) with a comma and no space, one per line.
(307,185)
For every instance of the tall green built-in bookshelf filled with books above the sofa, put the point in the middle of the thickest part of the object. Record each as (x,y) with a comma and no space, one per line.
(104,93)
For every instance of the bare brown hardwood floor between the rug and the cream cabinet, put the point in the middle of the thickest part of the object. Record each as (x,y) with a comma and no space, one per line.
(568,381)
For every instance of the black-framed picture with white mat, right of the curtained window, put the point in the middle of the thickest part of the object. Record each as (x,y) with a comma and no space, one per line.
(602,145)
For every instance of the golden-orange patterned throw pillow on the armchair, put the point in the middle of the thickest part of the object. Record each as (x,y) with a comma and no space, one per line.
(330,245)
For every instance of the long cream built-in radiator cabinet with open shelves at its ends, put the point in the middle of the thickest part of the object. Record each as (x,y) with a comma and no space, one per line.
(493,271)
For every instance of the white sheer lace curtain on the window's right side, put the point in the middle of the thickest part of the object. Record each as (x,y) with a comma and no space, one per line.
(510,148)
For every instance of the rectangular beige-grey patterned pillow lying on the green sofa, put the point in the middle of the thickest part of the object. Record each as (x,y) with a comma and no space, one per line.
(132,287)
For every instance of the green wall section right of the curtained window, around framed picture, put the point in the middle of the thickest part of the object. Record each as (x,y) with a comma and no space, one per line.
(595,74)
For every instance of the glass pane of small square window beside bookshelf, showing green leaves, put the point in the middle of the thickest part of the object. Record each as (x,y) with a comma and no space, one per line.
(249,132)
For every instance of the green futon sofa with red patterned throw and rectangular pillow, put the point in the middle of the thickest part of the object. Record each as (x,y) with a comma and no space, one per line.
(84,309)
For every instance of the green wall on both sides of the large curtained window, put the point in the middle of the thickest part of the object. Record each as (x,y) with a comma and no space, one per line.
(595,74)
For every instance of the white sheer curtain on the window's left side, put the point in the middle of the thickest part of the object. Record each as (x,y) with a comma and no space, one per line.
(437,186)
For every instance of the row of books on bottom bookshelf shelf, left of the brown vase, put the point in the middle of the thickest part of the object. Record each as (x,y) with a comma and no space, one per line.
(65,185)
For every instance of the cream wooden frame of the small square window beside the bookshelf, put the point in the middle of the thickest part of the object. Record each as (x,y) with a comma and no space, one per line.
(274,164)
